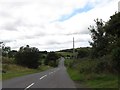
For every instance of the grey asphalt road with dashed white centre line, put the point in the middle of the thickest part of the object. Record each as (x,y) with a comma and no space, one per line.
(53,78)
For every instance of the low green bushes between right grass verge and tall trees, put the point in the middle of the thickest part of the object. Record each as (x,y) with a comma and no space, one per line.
(99,65)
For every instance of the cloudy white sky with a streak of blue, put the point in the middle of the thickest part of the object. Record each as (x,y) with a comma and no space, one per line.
(51,24)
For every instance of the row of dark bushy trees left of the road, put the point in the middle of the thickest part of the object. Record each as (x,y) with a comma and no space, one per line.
(29,57)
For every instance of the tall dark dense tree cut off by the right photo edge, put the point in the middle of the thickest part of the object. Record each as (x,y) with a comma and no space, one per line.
(113,30)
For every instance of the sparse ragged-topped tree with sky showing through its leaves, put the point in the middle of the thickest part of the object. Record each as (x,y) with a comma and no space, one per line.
(99,38)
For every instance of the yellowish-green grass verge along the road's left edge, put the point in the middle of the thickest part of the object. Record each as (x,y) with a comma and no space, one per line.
(13,70)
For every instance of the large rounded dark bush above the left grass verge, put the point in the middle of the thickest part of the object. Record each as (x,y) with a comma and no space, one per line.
(27,56)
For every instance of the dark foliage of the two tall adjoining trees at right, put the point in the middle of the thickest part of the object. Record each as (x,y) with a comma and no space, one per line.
(106,40)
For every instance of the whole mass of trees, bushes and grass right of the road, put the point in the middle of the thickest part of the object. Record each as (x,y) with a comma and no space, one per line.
(103,68)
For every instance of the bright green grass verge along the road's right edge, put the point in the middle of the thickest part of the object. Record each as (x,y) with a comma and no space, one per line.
(94,80)
